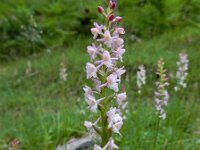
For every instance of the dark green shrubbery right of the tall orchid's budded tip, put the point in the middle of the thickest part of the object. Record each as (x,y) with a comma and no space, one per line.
(147,18)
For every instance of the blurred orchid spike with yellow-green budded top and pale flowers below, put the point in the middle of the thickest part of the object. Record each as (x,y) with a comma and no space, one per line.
(161,95)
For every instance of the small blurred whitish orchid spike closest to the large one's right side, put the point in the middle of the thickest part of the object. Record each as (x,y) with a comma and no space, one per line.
(141,77)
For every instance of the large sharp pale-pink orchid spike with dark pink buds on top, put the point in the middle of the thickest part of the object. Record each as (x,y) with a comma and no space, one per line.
(105,72)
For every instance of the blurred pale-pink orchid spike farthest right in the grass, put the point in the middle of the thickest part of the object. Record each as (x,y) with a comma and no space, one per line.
(182,73)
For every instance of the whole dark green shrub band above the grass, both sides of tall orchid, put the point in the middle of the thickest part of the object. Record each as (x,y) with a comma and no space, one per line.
(49,24)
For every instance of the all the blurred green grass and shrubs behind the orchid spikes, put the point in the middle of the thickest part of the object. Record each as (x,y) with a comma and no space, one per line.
(41,111)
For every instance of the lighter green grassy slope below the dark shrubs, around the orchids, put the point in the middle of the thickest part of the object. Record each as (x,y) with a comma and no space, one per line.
(41,111)
